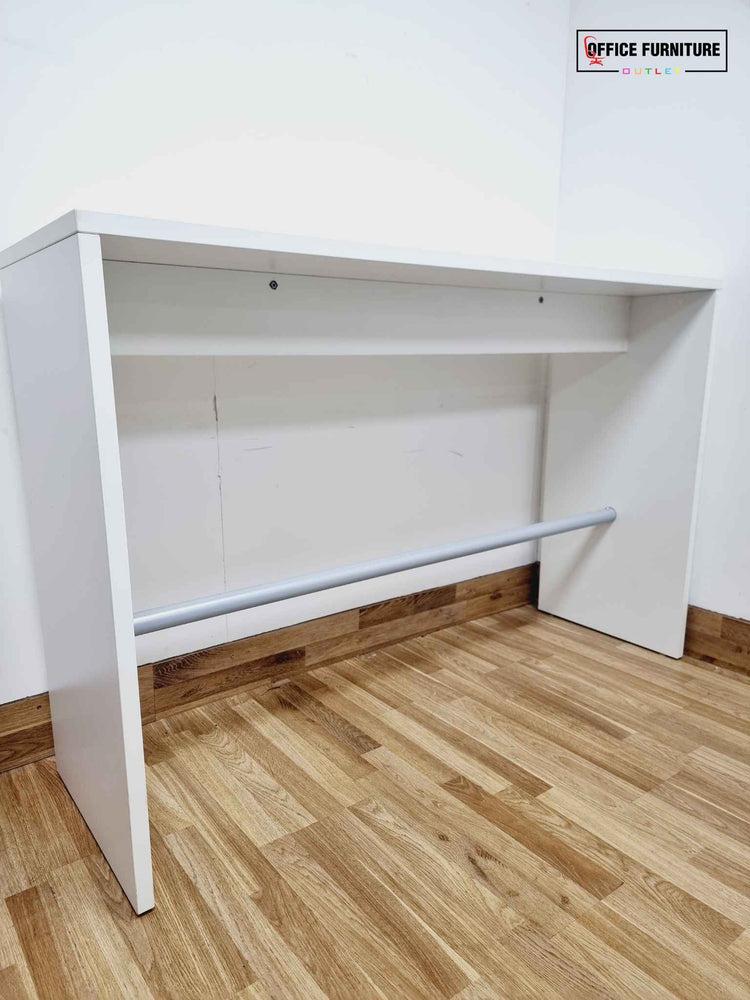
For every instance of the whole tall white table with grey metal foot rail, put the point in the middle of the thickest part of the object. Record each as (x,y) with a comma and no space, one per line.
(626,391)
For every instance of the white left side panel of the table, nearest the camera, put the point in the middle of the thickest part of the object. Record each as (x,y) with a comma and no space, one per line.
(59,349)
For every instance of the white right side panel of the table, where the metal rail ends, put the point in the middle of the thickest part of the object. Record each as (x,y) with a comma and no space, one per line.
(626,431)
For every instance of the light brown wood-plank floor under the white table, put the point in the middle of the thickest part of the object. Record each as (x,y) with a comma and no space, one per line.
(514,807)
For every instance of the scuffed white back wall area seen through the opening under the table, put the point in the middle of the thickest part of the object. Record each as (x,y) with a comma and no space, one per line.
(241,471)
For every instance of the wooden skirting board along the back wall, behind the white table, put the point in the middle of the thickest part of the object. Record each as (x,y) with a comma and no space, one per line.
(181,682)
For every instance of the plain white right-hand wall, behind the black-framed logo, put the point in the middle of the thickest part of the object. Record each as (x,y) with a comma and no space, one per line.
(656,174)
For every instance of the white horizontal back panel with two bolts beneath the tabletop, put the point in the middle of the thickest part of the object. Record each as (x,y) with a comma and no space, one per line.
(157,309)
